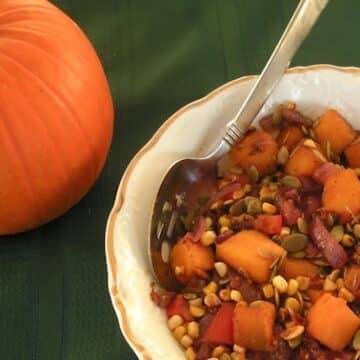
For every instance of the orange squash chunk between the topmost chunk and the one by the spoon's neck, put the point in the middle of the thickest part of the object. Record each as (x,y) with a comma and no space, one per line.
(304,160)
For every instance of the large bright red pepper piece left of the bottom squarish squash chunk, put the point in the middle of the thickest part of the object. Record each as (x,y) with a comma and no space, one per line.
(220,330)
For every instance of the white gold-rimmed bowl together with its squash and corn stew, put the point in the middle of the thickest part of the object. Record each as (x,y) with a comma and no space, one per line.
(268,254)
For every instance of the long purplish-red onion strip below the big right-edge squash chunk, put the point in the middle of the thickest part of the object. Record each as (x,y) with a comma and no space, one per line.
(333,252)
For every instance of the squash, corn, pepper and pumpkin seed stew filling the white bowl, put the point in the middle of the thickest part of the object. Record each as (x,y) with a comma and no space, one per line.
(269,257)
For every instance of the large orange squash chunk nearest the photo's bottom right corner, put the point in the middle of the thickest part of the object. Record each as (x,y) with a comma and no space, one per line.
(332,322)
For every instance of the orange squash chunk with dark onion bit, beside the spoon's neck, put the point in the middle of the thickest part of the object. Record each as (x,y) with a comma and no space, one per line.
(258,148)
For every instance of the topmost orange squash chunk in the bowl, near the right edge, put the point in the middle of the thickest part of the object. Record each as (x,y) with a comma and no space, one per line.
(332,127)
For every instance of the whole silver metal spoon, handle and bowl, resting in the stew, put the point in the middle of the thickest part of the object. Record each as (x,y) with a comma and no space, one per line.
(183,174)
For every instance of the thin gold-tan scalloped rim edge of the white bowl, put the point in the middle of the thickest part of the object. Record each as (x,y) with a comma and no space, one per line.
(112,268)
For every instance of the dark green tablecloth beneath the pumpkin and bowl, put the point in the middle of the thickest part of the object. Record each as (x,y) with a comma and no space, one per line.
(158,56)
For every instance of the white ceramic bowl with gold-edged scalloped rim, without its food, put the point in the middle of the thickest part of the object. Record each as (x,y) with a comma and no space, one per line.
(191,131)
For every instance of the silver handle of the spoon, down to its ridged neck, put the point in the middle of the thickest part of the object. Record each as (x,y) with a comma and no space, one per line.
(302,21)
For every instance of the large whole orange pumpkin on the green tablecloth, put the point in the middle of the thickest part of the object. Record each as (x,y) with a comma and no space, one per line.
(56,114)
